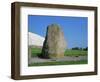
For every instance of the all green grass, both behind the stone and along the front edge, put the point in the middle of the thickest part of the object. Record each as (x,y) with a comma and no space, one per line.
(68,52)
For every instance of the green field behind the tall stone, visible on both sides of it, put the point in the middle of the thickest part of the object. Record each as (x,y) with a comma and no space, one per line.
(37,51)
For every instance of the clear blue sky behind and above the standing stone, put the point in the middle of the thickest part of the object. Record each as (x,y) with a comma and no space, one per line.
(75,28)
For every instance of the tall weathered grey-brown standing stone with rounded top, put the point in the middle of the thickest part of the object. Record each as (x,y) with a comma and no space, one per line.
(54,45)
